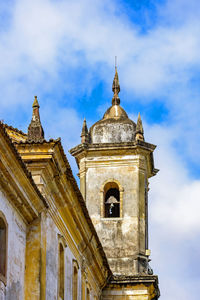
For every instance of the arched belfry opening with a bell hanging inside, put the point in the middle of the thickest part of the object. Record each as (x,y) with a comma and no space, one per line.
(111,200)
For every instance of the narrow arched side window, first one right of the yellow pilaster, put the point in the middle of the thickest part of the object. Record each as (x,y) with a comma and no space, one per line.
(61,272)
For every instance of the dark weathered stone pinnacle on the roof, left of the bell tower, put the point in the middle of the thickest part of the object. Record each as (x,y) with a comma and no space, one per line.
(35,130)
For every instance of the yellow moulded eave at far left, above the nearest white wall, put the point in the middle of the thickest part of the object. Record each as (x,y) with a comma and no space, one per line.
(16,182)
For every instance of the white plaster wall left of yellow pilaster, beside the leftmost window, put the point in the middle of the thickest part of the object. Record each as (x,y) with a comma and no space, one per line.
(16,251)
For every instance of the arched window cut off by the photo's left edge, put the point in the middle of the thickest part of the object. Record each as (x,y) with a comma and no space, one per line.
(3,247)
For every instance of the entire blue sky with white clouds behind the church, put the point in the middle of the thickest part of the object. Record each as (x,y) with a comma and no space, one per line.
(63,52)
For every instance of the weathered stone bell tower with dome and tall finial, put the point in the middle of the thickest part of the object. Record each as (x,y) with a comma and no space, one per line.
(115,164)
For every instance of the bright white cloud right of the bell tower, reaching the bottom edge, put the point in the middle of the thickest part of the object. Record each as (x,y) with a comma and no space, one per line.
(174,222)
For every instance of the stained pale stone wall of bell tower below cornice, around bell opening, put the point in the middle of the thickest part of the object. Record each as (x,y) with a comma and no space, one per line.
(122,238)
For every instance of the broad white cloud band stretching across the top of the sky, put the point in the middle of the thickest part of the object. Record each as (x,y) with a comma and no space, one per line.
(44,34)
